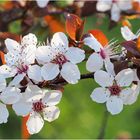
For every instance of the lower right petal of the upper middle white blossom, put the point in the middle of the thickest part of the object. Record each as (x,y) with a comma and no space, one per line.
(70,73)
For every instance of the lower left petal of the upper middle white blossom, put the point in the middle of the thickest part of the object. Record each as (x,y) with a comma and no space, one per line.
(50,71)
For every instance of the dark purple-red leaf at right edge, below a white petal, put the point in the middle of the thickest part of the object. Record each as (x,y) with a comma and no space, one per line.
(131,47)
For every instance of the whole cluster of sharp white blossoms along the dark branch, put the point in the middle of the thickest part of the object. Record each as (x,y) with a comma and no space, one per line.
(29,65)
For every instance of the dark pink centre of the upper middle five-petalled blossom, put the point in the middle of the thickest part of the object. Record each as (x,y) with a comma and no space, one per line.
(60,59)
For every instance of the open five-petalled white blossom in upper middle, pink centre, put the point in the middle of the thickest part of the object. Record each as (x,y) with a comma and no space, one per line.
(57,58)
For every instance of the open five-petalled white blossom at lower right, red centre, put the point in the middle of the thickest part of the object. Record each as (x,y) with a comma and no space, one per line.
(114,90)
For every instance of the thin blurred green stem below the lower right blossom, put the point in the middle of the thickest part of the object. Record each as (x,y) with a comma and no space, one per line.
(103,125)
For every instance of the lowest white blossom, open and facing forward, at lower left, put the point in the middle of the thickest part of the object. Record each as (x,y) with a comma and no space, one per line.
(40,104)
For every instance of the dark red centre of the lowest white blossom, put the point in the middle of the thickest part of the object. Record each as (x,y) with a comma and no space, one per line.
(38,106)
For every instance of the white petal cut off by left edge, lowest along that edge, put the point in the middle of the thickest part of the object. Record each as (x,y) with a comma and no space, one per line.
(3,113)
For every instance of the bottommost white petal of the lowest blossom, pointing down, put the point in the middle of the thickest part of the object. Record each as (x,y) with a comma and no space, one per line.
(34,123)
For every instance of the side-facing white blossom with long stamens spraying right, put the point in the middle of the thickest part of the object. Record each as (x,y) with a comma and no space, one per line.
(101,56)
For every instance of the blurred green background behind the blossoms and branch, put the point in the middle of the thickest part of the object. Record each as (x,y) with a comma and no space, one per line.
(80,117)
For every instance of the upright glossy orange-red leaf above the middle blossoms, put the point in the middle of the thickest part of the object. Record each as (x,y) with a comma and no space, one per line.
(74,27)
